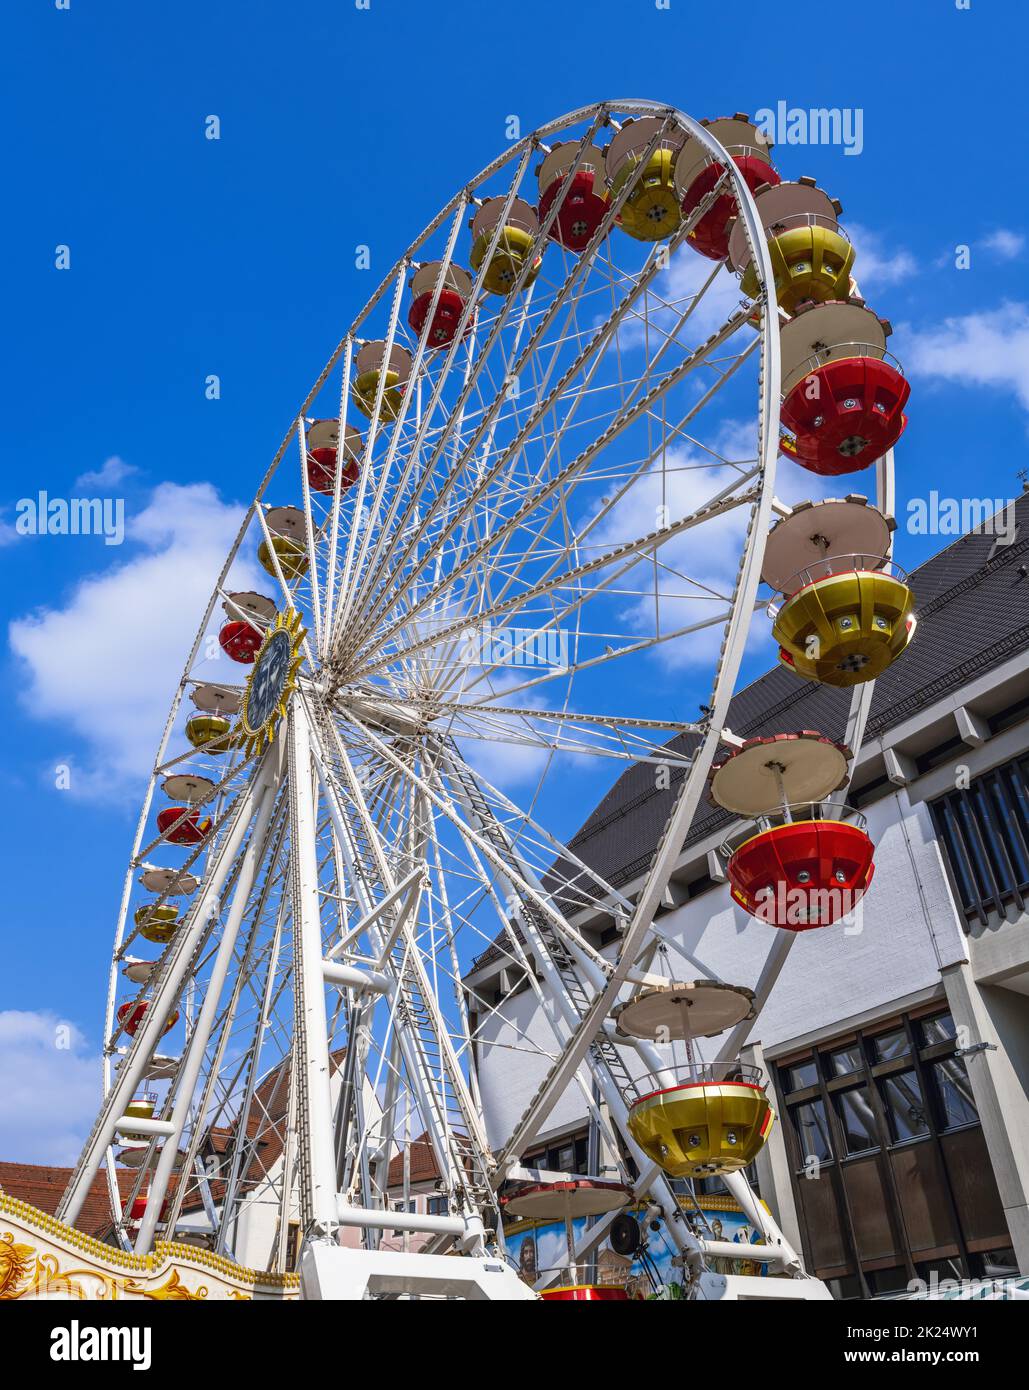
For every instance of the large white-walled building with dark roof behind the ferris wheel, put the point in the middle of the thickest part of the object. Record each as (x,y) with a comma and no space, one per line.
(898,1042)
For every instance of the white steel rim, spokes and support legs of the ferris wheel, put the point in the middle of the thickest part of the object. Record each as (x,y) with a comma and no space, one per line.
(307,760)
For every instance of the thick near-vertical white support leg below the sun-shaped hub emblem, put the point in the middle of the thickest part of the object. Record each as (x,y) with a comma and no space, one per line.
(314,1071)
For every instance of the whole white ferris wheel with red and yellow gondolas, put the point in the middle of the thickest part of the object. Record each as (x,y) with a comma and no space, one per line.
(540,465)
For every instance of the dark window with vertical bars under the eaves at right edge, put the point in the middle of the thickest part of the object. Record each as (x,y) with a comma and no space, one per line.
(985,835)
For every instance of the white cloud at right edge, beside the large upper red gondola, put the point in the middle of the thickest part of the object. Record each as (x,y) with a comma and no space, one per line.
(982,350)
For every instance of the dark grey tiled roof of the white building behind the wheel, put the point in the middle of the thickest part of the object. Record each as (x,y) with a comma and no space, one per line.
(973,610)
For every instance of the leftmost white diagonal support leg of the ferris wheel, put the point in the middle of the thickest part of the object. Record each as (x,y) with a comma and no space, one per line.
(166,996)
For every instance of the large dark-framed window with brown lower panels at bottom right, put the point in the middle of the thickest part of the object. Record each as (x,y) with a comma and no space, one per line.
(905,1175)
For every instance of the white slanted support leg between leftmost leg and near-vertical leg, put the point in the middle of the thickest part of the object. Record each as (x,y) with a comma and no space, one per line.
(193,1063)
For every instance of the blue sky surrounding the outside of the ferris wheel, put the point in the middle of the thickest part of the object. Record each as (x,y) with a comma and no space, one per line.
(236,258)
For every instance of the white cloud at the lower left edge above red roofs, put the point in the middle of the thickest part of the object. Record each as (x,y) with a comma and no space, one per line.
(51,1092)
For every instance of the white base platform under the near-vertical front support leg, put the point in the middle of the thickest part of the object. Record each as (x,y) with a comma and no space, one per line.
(336,1273)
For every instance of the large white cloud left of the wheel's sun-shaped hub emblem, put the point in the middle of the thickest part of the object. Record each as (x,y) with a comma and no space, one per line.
(106,664)
